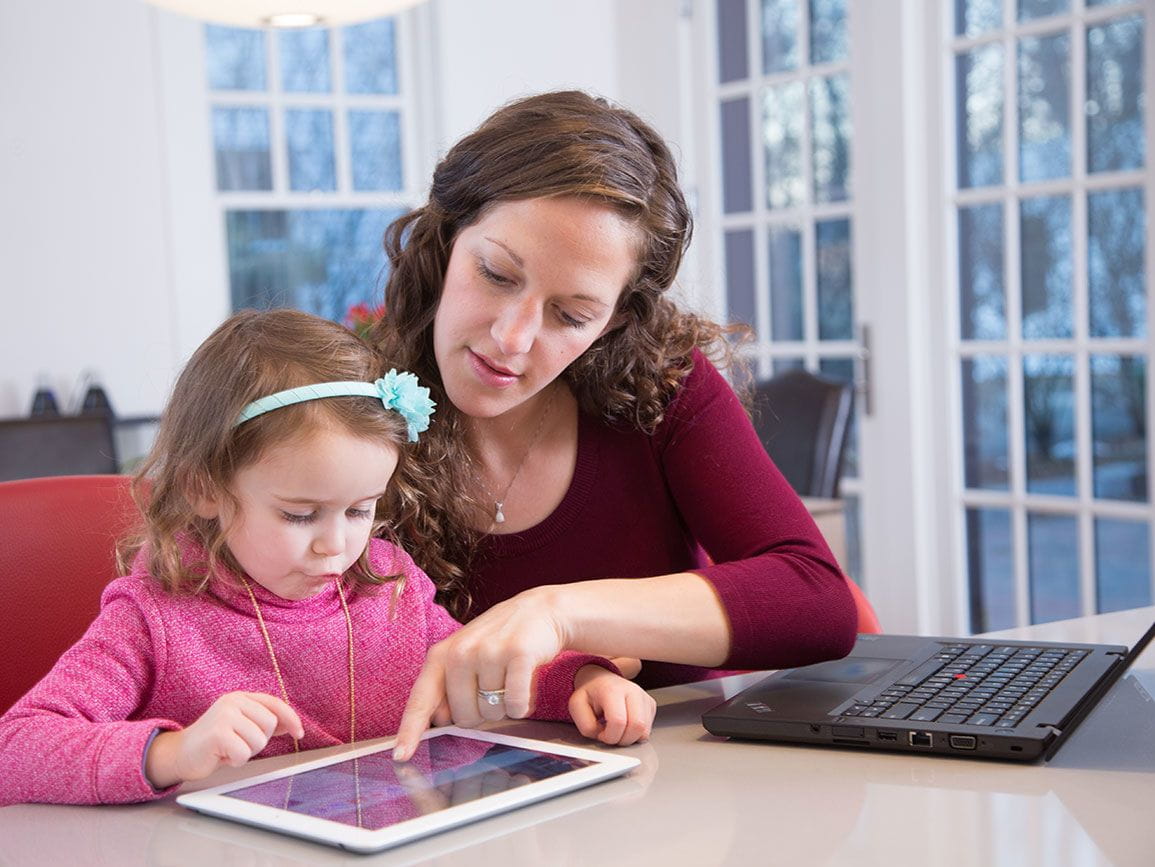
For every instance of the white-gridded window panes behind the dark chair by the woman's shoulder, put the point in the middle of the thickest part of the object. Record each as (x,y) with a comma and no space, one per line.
(785,143)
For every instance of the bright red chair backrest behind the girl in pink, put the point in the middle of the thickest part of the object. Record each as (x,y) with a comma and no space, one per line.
(58,552)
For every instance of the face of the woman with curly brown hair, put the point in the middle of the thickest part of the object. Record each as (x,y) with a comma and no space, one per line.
(530,287)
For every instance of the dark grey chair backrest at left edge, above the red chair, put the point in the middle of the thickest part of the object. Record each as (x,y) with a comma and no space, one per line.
(57,446)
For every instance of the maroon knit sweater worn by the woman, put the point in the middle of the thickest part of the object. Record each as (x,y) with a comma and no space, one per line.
(701,495)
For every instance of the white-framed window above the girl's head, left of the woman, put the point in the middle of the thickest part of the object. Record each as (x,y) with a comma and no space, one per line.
(314,141)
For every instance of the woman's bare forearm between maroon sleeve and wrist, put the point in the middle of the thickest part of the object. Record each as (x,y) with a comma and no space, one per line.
(670,618)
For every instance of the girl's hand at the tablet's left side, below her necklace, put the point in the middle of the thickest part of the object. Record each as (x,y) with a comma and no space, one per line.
(233,731)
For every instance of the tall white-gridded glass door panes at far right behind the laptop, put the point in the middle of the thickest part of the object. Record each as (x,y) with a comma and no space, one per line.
(1052,347)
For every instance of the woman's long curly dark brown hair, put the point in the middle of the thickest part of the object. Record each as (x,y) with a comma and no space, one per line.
(553,145)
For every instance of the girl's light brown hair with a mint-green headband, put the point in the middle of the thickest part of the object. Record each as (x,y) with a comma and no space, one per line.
(199,449)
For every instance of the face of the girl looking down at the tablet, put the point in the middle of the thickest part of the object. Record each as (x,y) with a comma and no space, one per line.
(307,510)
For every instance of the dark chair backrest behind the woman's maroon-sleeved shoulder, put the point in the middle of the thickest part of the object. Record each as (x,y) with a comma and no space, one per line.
(803,421)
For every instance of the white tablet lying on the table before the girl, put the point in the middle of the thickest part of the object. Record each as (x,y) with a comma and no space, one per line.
(364,802)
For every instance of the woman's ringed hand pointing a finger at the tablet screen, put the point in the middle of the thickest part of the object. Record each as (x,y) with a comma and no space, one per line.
(501,649)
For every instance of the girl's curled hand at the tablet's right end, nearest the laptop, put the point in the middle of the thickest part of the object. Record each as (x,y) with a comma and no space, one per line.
(610,708)
